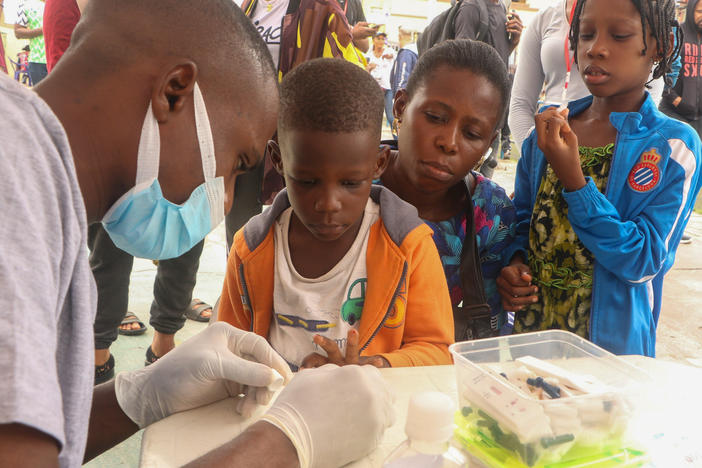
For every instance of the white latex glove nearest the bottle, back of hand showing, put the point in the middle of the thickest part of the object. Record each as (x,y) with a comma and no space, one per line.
(333,415)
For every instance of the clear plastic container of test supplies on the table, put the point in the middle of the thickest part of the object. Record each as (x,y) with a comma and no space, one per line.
(573,412)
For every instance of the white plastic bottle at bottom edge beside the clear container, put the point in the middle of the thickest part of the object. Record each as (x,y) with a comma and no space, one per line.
(429,430)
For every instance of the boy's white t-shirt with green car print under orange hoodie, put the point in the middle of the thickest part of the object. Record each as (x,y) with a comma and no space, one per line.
(330,305)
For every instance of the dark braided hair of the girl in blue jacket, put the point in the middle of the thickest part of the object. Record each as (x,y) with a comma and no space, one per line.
(659,15)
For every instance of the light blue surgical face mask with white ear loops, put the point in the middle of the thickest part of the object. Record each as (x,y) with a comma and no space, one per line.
(146,225)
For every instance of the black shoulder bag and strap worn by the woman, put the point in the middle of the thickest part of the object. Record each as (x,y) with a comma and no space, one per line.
(472,319)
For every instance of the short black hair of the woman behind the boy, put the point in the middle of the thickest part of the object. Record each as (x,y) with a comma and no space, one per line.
(464,54)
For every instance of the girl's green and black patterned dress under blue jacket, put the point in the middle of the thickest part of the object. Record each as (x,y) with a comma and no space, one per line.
(562,266)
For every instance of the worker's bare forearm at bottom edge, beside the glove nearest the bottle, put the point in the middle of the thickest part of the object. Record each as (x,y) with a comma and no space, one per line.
(261,445)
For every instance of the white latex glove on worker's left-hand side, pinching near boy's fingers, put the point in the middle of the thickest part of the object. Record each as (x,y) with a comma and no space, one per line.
(219,362)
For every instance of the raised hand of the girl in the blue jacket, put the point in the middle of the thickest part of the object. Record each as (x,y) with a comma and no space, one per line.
(560,146)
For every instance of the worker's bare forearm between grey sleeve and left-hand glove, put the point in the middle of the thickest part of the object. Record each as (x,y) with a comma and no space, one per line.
(108,424)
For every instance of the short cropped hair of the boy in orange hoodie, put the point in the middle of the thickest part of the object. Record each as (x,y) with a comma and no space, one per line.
(330,95)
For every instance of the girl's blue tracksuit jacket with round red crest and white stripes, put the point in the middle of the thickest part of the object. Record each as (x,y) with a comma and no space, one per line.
(633,229)
